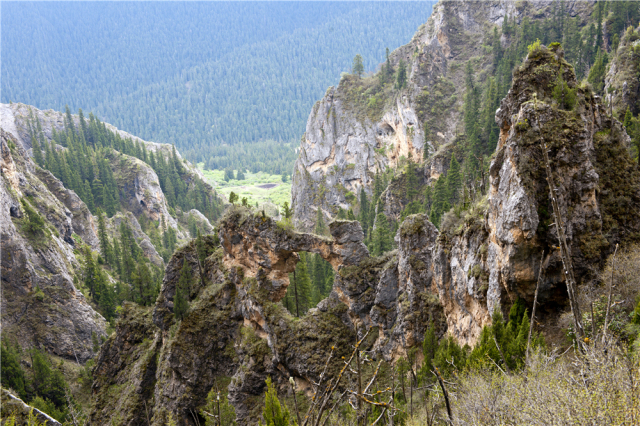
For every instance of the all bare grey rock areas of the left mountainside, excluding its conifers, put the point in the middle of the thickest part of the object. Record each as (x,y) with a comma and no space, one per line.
(41,305)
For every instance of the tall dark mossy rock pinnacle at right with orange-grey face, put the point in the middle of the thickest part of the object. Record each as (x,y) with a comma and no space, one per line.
(491,256)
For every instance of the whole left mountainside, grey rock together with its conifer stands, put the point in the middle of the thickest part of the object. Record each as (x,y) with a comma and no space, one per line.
(89,217)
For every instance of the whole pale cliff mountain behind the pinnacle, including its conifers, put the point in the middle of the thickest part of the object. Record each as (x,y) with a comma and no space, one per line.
(435,96)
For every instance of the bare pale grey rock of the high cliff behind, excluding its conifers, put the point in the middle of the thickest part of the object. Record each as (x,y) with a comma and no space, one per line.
(361,127)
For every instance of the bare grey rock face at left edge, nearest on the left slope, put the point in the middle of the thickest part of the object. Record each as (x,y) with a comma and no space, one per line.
(40,305)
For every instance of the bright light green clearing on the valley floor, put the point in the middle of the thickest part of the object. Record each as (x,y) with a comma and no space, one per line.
(251,186)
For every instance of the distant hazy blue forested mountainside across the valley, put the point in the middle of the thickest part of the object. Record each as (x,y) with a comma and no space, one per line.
(231,84)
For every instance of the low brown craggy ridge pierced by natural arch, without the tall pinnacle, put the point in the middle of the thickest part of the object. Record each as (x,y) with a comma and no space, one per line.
(236,329)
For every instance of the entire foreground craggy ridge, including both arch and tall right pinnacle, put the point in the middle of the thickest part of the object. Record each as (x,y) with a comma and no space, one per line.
(456,283)
